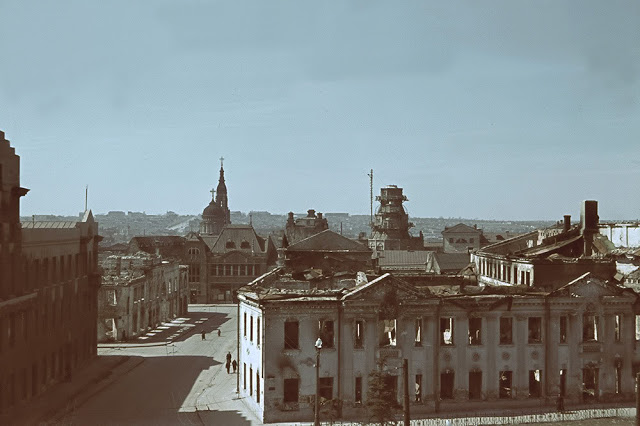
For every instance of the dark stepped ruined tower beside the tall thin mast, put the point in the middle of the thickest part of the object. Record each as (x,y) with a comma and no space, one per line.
(390,228)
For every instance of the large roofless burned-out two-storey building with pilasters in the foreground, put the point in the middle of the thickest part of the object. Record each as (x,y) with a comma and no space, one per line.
(490,348)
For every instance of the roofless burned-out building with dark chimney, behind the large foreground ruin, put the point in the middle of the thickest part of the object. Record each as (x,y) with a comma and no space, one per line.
(550,257)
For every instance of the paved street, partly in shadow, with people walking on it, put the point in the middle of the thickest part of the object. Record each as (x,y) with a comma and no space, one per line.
(184,383)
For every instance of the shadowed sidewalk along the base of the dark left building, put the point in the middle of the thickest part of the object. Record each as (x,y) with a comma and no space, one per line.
(63,397)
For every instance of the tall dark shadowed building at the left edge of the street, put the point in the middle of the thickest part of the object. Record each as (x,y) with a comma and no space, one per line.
(49,279)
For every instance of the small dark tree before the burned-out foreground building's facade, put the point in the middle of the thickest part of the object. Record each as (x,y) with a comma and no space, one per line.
(381,397)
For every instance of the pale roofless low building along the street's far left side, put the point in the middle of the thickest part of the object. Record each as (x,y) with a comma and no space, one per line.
(139,292)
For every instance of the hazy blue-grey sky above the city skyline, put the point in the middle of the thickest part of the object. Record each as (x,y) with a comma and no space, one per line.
(493,109)
